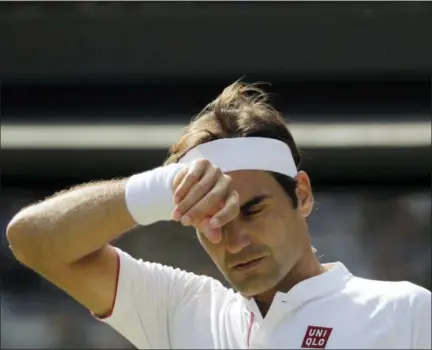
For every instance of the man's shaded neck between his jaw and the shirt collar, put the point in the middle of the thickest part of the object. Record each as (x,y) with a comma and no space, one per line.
(308,266)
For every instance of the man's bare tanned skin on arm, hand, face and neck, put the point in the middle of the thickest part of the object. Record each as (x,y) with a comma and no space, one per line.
(66,238)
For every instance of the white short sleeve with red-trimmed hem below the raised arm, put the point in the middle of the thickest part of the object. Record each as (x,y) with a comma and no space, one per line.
(147,298)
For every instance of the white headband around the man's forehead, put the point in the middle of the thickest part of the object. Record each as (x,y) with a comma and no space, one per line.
(245,153)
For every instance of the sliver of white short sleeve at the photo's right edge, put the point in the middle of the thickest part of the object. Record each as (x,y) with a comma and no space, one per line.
(421,311)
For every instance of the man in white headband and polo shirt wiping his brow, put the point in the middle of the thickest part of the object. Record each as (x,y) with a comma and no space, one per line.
(233,176)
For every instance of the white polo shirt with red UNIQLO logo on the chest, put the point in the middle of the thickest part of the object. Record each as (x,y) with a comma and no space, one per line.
(158,307)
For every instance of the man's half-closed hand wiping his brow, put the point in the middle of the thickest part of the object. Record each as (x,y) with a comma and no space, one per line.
(204,199)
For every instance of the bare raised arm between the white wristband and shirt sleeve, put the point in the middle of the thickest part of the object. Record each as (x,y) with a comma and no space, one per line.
(65,239)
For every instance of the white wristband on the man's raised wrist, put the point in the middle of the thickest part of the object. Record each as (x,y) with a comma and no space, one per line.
(149,195)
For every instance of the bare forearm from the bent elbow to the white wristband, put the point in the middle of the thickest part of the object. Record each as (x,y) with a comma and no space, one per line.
(71,224)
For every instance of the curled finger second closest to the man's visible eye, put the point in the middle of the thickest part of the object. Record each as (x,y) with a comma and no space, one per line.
(209,204)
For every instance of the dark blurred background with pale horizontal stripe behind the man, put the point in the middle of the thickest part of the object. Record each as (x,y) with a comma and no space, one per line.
(100,90)
